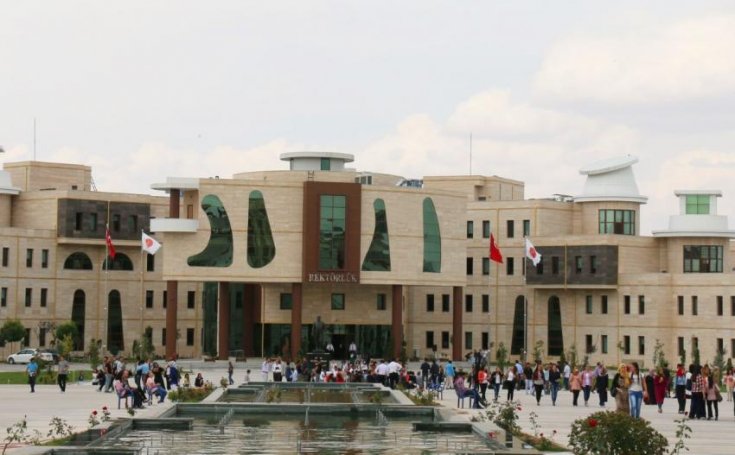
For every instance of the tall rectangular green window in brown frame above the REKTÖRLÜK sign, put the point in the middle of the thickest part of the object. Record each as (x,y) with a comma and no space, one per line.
(332,223)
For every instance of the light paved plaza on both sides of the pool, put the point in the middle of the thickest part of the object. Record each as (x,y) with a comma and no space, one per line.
(80,399)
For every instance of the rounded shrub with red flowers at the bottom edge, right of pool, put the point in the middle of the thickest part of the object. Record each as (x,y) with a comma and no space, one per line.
(614,433)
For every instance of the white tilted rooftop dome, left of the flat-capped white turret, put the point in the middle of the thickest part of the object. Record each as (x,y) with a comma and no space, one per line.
(611,179)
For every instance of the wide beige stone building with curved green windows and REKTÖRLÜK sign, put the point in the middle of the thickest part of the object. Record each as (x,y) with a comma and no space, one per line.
(250,265)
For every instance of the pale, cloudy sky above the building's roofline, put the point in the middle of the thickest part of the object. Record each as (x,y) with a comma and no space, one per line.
(143,90)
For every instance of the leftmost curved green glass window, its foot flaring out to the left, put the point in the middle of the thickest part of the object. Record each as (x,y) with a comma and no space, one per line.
(219,250)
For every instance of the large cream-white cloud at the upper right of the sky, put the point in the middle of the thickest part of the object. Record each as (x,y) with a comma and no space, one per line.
(650,63)
